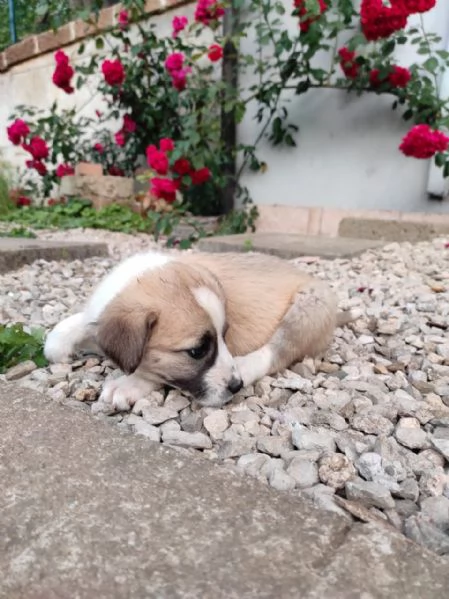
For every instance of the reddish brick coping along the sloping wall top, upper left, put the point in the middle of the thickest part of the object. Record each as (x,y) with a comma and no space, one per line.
(50,41)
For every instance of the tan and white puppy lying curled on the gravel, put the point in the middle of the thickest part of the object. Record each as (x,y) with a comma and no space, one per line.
(206,324)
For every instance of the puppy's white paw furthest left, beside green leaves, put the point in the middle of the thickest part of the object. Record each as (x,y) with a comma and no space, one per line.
(63,340)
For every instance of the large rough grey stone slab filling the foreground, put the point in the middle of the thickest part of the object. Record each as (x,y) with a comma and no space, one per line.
(91,512)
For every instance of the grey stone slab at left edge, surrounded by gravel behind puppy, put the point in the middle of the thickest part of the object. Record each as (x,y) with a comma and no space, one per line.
(16,252)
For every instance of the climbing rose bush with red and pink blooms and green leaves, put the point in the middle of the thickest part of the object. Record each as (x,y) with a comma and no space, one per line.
(160,89)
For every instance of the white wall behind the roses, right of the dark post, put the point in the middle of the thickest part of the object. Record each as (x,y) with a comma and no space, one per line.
(347,154)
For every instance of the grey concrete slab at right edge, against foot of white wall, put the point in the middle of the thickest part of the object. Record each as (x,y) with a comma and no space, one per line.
(391,230)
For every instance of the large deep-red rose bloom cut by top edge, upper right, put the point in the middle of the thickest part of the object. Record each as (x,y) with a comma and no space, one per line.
(380,21)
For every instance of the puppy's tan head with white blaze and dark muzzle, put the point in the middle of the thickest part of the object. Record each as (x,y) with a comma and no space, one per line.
(169,326)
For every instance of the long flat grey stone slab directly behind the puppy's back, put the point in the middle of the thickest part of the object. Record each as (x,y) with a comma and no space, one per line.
(288,246)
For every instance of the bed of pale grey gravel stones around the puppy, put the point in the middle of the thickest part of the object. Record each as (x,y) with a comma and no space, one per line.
(363,432)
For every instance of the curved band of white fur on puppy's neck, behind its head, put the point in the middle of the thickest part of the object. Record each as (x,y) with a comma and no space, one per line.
(122,275)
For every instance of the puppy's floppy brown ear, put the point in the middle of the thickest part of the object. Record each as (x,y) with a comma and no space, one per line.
(122,335)
